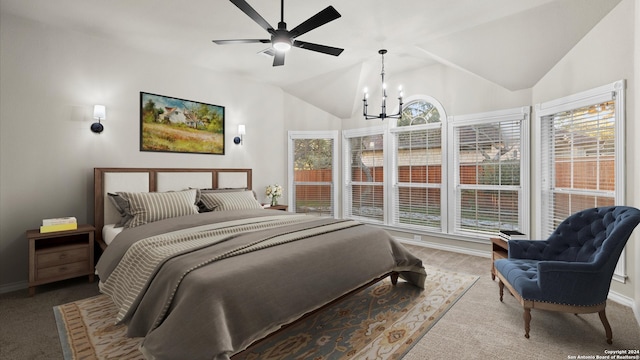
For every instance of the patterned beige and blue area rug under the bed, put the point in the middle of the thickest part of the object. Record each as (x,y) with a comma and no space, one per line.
(379,322)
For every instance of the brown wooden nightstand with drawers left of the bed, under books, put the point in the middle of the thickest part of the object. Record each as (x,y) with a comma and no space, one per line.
(60,255)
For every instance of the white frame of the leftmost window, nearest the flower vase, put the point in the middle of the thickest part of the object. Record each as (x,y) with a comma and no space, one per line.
(335,176)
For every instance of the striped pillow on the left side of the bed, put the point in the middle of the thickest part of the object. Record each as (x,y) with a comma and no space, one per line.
(149,207)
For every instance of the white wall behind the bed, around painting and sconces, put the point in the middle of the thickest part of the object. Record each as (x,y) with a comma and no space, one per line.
(52,77)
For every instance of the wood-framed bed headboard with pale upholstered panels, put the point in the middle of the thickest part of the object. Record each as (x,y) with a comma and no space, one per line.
(106,180)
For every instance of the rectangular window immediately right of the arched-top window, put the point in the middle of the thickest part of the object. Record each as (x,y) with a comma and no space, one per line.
(489,171)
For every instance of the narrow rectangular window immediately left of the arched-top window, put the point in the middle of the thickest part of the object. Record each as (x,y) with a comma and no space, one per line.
(364,163)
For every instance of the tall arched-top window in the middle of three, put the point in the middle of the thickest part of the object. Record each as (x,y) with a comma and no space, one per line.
(417,165)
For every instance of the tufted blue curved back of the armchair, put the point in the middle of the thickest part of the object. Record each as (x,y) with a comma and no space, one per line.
(592,235)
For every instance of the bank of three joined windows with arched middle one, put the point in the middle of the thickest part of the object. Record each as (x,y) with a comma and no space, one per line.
(427,173)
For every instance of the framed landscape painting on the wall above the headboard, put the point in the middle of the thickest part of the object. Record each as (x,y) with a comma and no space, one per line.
(176,125)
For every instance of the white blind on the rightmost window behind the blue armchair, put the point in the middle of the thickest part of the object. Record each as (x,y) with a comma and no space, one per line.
(578,161)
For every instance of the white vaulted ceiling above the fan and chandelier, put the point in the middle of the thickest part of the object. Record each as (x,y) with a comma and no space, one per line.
(512,43)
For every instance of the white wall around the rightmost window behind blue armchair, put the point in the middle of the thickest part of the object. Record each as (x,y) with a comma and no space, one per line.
(605,55)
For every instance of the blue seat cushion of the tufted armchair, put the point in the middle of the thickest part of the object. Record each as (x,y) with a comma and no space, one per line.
(522,274)
